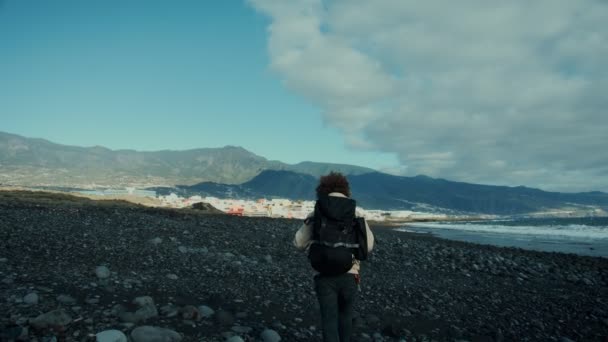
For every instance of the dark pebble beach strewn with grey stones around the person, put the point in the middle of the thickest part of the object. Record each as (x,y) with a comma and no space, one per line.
(73,268)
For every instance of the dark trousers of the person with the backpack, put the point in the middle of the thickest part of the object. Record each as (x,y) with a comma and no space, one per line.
(336,296)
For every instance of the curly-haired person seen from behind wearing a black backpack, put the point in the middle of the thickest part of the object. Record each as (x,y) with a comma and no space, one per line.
(333,244)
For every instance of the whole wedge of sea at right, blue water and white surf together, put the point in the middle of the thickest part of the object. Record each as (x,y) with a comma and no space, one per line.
(583,236)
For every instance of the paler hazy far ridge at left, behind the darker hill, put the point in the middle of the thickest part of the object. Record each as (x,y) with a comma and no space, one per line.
(30,162)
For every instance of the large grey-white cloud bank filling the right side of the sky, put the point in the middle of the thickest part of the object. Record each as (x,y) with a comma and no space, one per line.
(481,91)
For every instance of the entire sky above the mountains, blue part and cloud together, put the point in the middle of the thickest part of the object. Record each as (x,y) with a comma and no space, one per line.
(509,93)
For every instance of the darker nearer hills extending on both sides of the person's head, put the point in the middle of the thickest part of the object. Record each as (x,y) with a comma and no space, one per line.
(381,191)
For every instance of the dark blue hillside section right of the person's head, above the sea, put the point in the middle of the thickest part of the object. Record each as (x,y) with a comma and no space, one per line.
(382,190)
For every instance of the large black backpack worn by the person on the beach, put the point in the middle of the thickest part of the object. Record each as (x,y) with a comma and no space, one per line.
(336,237)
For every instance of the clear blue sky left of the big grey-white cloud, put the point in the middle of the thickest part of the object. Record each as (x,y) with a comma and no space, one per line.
(155,75)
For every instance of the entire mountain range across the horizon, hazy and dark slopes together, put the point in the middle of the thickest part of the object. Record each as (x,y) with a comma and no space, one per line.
(237,173)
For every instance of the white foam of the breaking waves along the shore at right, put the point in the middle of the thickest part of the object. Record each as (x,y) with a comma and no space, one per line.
(574,231)
